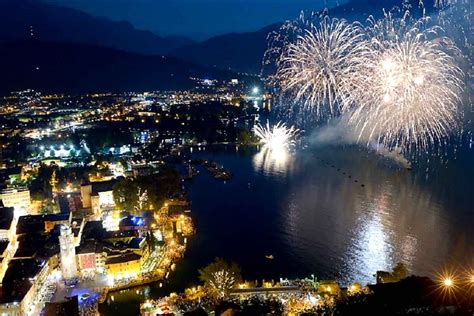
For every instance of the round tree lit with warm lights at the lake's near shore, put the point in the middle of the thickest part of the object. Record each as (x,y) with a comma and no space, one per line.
(220,277)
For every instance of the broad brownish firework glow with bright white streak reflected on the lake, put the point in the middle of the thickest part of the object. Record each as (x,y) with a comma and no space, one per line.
(354,218)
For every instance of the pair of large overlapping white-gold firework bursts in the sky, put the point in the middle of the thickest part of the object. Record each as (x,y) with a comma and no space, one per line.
(396,79)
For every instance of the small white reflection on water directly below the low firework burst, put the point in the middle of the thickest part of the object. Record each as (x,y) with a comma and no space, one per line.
(273,160)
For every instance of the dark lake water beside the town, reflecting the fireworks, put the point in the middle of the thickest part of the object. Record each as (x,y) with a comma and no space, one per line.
(336,212)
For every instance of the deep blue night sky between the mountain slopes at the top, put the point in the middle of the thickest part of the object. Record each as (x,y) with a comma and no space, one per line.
(197,19)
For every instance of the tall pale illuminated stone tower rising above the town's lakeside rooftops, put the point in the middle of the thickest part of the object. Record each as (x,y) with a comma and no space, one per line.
(67,253)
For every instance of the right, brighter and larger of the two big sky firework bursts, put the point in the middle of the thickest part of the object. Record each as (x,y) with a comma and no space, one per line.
(407,93)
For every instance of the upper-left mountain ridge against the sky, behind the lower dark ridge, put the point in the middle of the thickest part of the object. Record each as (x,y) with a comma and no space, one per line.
(35,20)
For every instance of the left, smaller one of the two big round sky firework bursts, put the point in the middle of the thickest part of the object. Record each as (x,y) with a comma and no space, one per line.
(315,68)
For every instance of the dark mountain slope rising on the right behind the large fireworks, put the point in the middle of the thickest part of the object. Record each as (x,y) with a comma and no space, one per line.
(243,52)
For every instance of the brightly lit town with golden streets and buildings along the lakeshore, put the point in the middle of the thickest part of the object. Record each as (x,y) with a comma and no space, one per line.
(92,196)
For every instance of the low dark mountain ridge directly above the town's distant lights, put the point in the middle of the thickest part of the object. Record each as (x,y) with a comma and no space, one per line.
(79,68)
